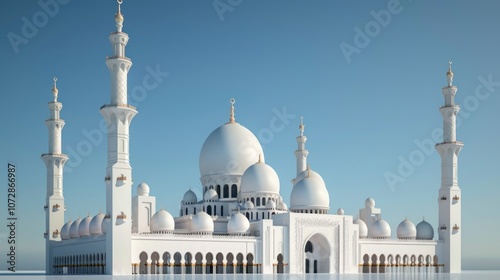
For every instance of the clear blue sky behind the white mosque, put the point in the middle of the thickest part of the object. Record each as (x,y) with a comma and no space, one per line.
(366,76)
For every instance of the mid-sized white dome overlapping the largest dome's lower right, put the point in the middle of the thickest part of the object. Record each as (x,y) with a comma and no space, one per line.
(260,178)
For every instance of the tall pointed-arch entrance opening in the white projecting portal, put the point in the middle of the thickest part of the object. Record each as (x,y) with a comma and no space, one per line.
(317,252)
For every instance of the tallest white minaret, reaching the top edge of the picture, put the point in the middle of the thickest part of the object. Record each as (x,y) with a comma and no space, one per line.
(118,115)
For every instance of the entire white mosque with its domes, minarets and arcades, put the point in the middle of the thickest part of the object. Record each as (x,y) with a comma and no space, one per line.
(241,225)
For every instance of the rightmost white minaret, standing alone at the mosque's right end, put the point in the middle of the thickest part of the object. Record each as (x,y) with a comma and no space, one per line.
(450,214)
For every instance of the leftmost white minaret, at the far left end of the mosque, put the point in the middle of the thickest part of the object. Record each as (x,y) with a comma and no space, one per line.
(54,161)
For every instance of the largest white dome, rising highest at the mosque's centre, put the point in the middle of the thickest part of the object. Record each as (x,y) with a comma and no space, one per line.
(229,149)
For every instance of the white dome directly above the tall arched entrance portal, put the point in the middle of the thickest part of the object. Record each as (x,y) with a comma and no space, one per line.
(310,193)
